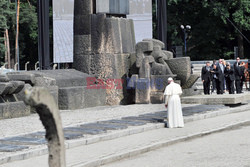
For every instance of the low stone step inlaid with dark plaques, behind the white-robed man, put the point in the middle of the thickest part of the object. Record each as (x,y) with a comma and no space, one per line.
(33,144)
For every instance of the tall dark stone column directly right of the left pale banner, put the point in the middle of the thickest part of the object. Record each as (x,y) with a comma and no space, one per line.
(82,34)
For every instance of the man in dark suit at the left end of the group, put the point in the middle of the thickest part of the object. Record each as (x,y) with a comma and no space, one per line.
(206,78)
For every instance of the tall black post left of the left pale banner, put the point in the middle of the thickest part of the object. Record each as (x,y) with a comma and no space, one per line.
(43,34)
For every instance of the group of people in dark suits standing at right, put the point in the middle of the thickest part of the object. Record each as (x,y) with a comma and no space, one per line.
(224,76)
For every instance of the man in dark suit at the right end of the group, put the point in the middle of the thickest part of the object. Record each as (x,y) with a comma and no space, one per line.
(238,75)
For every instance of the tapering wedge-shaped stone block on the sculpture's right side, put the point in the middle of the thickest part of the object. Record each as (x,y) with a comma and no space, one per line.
(181,67)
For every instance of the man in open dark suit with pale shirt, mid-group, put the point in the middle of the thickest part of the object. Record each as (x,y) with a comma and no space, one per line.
(220,68)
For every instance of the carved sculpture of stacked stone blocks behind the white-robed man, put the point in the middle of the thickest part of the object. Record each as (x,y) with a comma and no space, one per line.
(155,67)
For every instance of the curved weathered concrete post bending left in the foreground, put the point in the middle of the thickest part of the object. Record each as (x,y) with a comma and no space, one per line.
(47,109)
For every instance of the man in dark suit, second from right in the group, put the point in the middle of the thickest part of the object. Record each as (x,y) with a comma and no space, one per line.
(229,76)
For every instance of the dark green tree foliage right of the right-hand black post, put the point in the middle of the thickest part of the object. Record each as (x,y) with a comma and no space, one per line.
(213,34)
